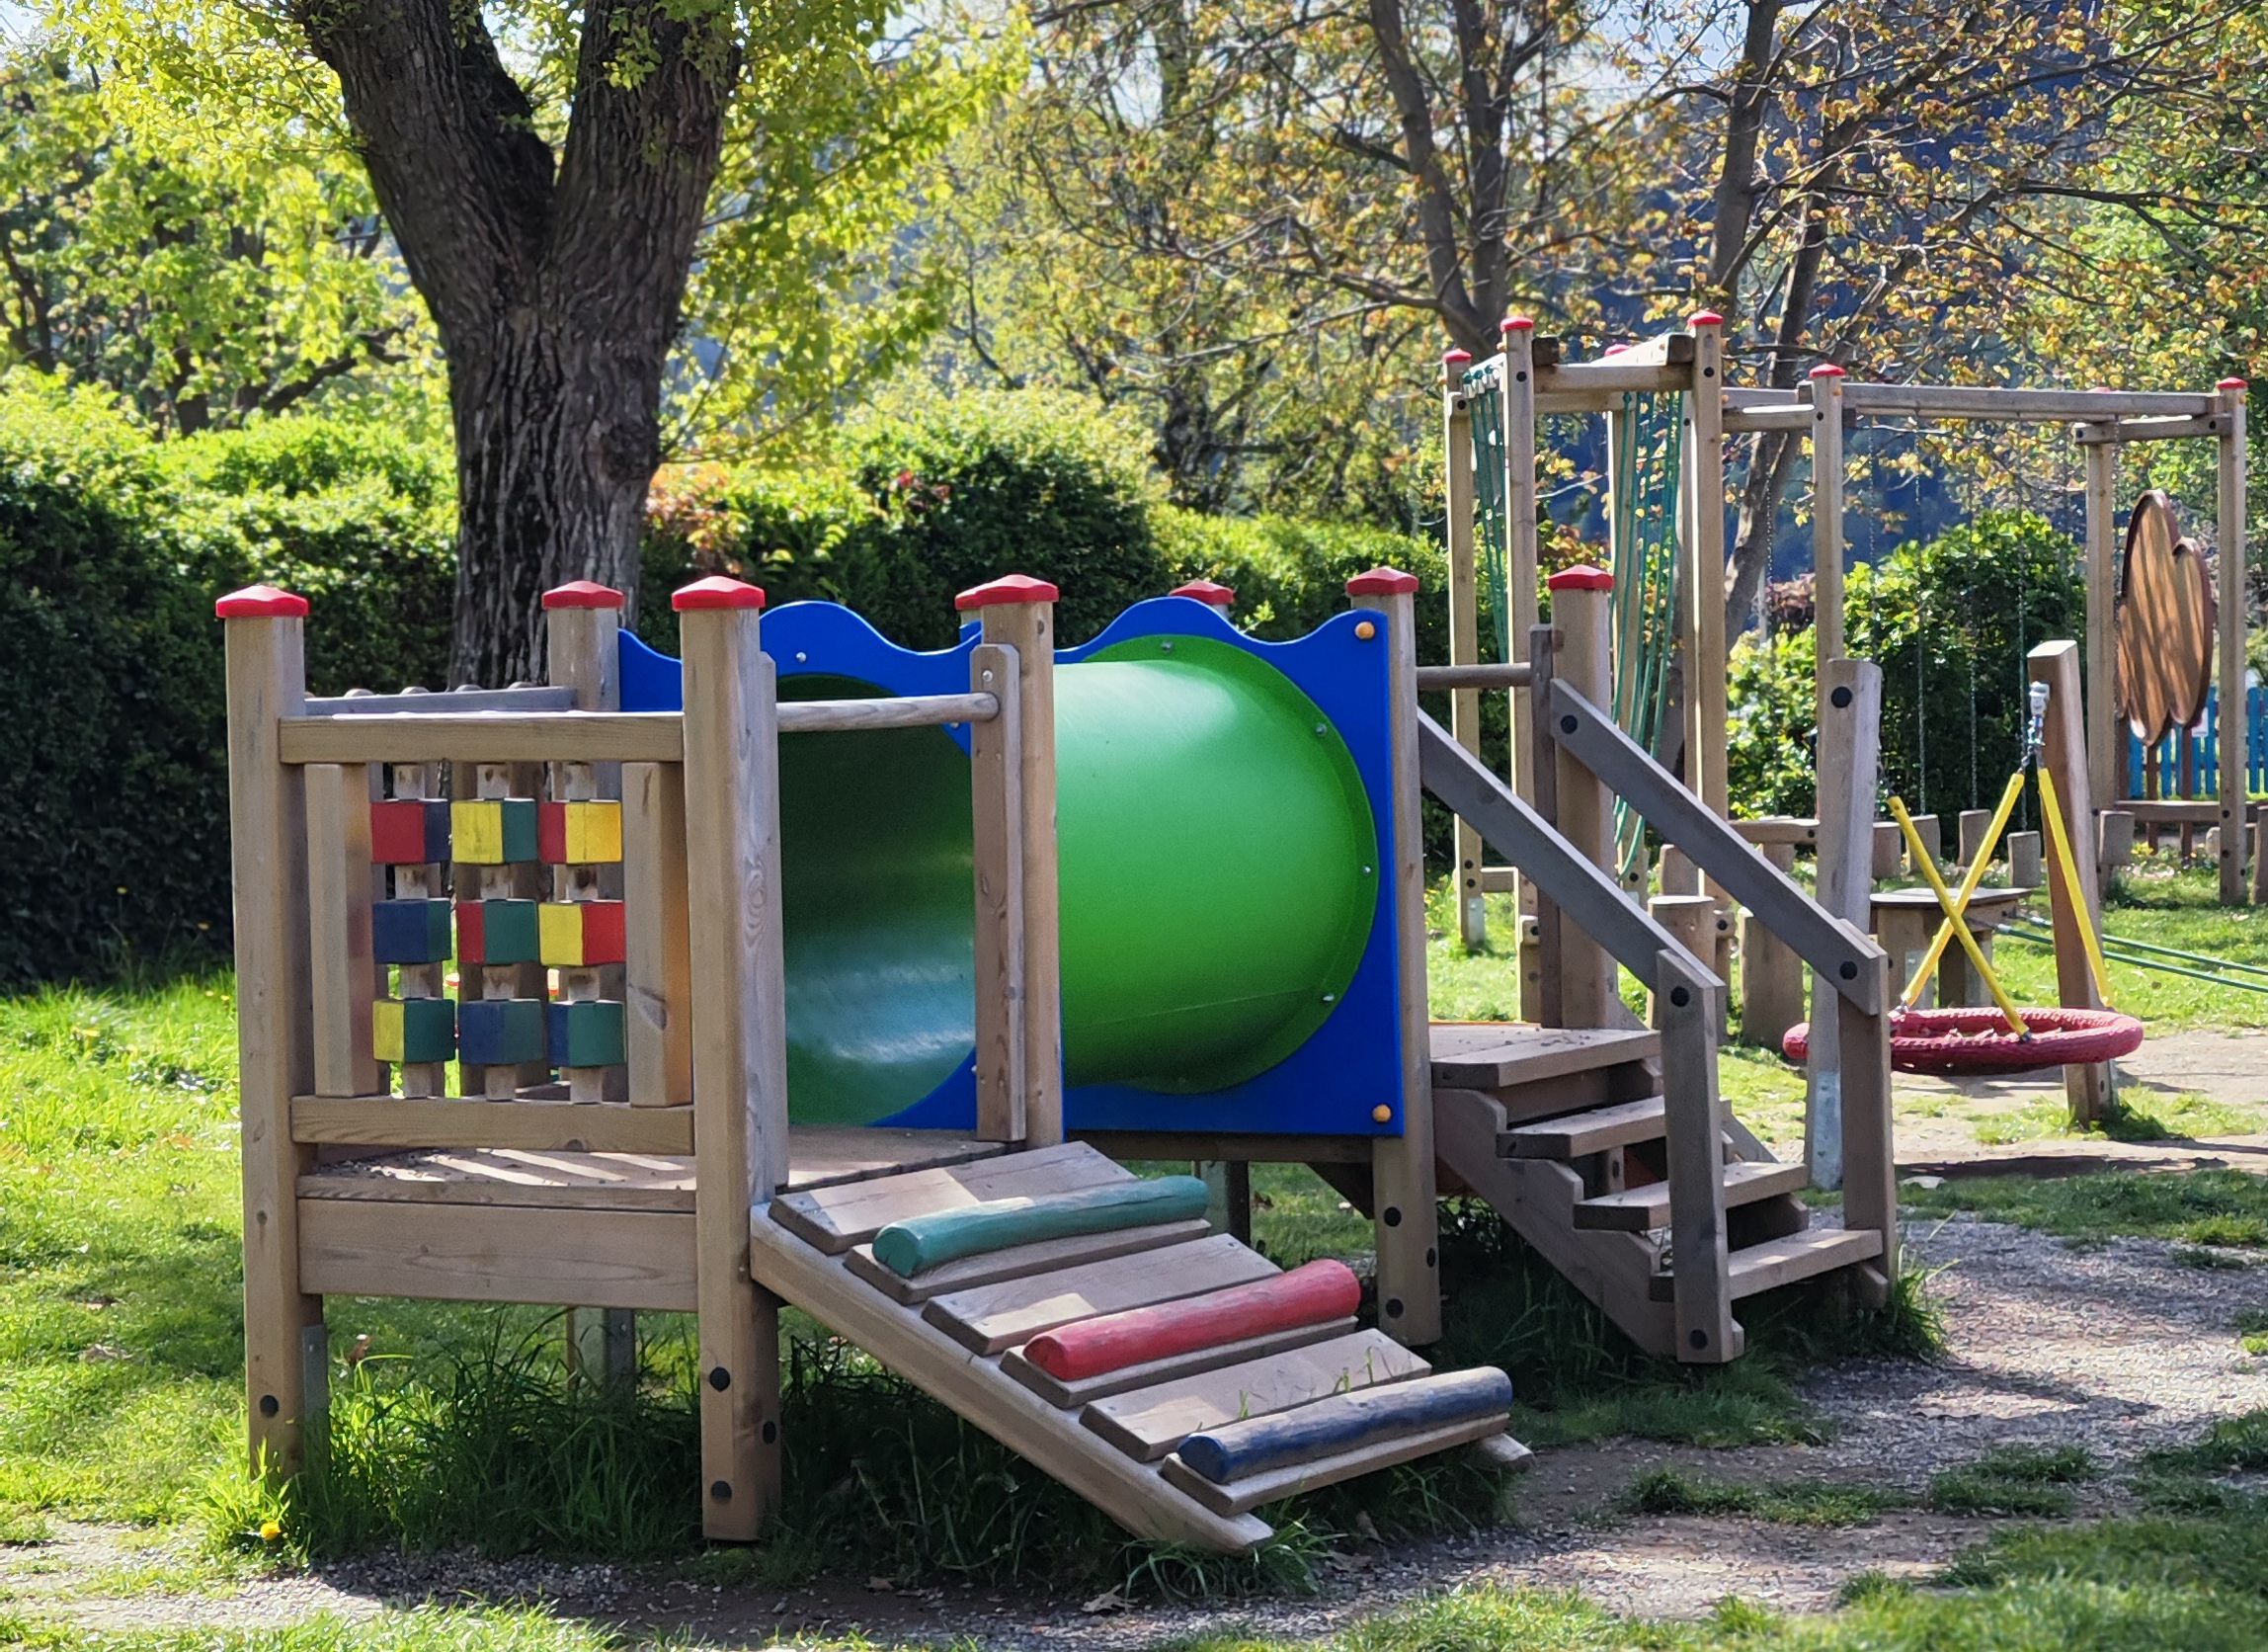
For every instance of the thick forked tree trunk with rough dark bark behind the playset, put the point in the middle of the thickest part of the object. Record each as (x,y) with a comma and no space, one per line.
(555,283)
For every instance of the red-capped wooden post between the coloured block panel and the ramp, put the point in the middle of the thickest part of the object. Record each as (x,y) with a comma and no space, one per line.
(741,1038)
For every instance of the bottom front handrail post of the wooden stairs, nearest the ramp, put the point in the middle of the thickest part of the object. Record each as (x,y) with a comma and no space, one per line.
(1693,1115)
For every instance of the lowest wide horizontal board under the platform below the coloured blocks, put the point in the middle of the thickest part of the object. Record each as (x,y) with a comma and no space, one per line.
(489,1254)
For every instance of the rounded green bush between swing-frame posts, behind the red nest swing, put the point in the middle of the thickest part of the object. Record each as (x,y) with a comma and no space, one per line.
(1952,623)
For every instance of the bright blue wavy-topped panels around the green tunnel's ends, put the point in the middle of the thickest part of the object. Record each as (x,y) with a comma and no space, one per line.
(1332,1084)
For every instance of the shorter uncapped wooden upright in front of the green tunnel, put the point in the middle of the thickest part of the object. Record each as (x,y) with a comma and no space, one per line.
(997,836)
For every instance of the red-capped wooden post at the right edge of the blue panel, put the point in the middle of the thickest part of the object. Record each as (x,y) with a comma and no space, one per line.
(1405,1204)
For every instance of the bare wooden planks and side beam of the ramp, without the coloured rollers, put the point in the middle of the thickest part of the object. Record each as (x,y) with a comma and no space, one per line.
(1112,1440)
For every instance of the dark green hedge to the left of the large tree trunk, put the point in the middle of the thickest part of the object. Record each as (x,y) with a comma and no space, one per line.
(112,553)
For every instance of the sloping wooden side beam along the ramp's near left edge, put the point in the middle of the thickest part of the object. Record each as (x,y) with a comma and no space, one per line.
(974,1388)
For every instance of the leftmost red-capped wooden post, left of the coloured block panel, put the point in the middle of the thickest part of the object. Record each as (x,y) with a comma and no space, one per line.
(287,1360)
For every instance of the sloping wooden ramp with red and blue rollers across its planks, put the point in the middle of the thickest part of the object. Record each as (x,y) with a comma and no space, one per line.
(1285,1397)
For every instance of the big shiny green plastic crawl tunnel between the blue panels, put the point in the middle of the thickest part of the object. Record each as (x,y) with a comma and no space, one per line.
(1215,861)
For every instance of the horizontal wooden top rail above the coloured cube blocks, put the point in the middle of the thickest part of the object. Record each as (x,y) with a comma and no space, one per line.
(541,736)
